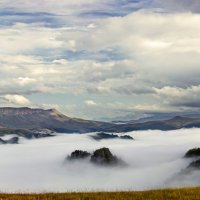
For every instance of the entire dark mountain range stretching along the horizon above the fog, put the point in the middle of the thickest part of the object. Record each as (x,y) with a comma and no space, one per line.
(51,119)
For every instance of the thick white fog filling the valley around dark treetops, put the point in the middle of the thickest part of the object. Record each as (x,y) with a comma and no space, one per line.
(154,160)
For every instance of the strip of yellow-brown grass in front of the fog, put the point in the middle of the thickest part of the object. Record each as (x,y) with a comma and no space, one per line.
(180,194)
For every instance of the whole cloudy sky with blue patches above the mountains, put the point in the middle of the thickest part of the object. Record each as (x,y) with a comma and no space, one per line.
(100,59)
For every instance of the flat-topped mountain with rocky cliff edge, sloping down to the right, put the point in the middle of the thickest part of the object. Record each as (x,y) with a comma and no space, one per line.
(29,118)
